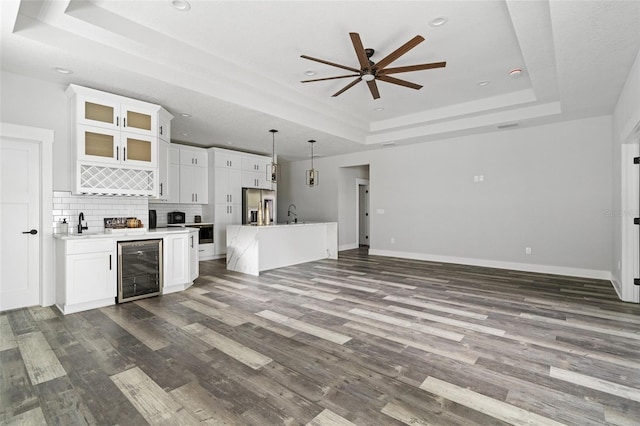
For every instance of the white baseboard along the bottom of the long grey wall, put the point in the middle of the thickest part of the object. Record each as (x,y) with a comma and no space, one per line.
(525,267)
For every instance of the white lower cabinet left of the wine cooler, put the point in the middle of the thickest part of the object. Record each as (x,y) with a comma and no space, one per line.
(85,274)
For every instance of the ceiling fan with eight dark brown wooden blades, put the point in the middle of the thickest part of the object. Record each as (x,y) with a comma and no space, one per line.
(370,71)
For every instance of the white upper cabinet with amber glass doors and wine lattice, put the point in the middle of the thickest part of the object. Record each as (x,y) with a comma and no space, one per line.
(116,143)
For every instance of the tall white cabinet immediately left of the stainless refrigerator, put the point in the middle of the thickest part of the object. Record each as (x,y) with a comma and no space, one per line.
(225,194)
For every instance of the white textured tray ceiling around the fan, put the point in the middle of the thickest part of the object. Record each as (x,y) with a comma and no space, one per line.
(235,66)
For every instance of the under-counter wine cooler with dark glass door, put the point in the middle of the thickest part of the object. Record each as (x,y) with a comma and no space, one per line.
(139,269)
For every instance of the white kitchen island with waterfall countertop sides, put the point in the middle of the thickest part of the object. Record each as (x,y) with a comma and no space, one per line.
(251,249)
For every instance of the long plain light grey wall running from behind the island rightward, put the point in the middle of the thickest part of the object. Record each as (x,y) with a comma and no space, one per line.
(546,187)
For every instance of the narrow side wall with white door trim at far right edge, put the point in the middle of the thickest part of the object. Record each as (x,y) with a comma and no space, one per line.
(626,118)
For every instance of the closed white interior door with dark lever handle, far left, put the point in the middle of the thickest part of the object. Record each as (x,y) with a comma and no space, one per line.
(19,215)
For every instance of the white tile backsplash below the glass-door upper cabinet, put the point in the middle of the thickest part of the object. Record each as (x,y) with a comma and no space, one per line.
(95,208)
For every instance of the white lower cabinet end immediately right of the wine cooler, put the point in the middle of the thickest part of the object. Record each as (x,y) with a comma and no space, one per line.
(176,262)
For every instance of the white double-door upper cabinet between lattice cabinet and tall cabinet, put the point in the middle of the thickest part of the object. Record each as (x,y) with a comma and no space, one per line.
(194,176)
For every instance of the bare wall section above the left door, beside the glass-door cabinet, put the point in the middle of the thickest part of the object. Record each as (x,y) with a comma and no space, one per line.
(33,102)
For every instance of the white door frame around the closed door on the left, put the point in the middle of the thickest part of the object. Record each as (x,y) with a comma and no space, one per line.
(44,138)
